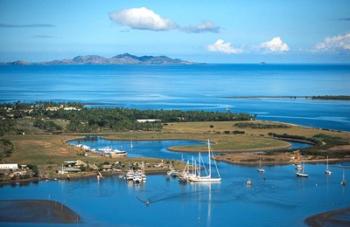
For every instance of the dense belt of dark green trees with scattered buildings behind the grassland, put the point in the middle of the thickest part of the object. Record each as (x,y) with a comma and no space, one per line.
(78,118)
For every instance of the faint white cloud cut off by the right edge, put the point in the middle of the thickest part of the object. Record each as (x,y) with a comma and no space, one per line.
(334,43)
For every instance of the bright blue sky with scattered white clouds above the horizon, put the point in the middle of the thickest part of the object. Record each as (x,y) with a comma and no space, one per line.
(220,31)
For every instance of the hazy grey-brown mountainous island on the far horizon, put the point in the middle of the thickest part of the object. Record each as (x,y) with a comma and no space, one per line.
(121,59)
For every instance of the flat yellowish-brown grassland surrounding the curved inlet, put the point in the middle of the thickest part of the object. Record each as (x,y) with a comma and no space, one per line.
(45,150)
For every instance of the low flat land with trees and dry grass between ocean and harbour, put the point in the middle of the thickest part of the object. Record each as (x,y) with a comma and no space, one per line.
(35,137)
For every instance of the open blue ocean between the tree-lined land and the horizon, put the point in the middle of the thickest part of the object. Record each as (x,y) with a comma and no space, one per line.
(191,87)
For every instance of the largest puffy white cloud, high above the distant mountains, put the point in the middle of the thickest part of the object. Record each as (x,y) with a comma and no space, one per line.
(141,18)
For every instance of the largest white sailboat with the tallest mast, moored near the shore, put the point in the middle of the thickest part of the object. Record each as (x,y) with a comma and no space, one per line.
(196,176)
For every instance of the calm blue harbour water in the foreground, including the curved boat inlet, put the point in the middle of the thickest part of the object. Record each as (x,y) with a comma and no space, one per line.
(276,191)
